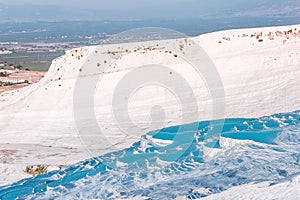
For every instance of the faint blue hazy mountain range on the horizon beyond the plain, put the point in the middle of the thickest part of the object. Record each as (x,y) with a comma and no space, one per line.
(23,13)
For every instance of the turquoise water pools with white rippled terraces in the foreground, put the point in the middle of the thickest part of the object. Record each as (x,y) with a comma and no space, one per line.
(151,171)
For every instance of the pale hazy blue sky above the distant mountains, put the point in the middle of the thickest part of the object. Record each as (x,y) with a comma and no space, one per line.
(136,9)
